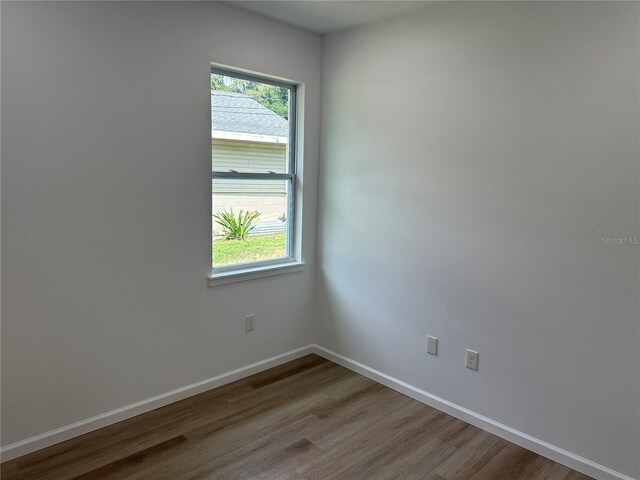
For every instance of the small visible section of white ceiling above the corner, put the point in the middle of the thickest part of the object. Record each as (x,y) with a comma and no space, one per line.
(326,16)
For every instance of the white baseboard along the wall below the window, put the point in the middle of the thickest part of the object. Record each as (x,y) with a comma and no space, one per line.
(58,435)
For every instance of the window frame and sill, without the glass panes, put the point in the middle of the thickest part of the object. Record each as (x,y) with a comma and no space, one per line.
(290,262)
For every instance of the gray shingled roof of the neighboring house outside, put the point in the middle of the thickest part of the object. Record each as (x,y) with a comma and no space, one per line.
(236,112)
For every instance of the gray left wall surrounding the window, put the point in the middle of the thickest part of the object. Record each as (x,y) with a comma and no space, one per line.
(106,161)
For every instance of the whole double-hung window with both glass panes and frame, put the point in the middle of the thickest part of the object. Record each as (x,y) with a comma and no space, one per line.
(253,132)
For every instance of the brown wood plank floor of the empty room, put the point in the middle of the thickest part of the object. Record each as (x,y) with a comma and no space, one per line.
(307,419)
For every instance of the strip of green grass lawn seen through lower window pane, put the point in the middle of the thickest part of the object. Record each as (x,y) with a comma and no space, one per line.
(253,249)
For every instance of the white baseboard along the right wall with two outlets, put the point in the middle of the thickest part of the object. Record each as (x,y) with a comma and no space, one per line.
(538,446)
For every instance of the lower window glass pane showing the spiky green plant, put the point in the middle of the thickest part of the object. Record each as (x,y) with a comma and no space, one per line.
(249,220)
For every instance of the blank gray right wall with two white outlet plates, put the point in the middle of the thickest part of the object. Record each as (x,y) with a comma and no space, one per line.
(473,157)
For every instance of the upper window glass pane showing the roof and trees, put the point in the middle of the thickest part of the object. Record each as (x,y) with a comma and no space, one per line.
(249,125)
